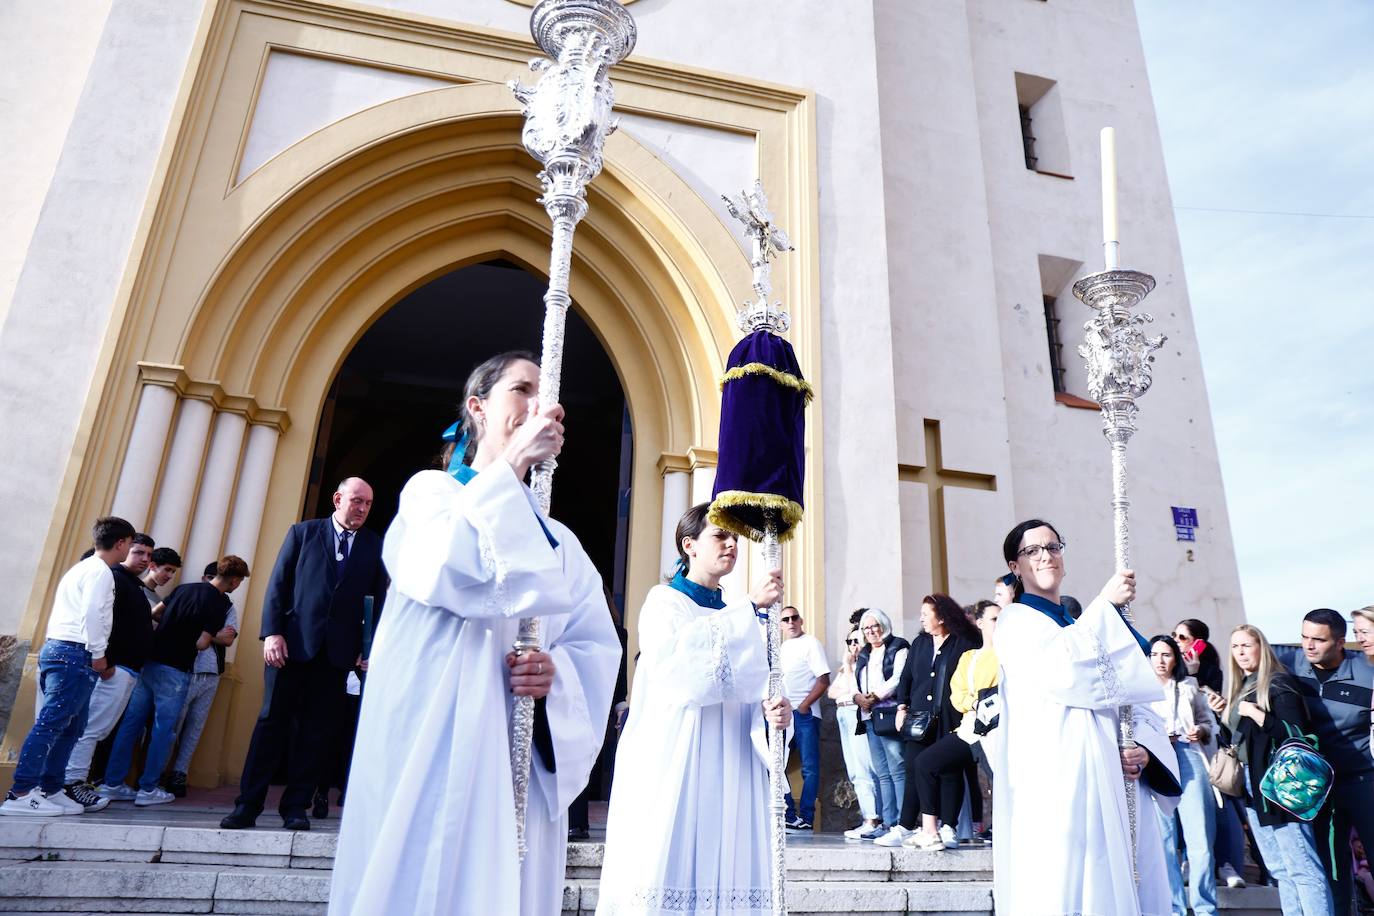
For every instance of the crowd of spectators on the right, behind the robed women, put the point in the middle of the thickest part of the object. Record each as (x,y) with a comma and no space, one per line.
(913,716)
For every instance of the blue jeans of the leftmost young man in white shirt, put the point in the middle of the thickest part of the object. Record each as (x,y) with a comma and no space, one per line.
(67,682)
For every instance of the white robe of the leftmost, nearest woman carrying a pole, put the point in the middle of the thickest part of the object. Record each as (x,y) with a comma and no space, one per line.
(429,819)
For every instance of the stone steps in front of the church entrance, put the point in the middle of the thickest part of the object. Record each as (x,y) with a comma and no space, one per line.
(130,863)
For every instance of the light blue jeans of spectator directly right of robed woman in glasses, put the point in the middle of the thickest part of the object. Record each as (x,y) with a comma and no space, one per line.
(1197,815)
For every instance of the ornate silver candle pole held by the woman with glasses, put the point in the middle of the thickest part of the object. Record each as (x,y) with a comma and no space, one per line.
(1119,355)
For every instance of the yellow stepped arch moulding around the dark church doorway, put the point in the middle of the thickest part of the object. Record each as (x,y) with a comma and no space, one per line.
(344,225)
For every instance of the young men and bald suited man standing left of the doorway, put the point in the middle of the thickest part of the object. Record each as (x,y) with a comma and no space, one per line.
(130,663)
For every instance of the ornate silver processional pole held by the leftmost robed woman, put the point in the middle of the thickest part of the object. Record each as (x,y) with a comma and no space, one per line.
(568,117)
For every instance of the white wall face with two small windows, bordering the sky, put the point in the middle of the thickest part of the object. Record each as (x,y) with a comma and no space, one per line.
(1060,459)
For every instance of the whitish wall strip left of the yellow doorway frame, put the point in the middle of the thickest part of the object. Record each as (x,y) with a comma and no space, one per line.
(75,263)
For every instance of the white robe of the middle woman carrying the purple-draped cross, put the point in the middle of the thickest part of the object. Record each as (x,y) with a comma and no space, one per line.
(689,811)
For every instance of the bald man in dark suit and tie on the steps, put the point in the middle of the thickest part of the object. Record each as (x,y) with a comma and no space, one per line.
(313,631)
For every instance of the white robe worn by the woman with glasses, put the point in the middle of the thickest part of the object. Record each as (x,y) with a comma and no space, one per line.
(1061,833)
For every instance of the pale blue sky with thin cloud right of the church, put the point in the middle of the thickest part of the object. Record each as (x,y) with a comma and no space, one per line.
(1268,108)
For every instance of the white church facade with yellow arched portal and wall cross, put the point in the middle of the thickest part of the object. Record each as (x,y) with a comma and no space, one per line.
(221,198)
